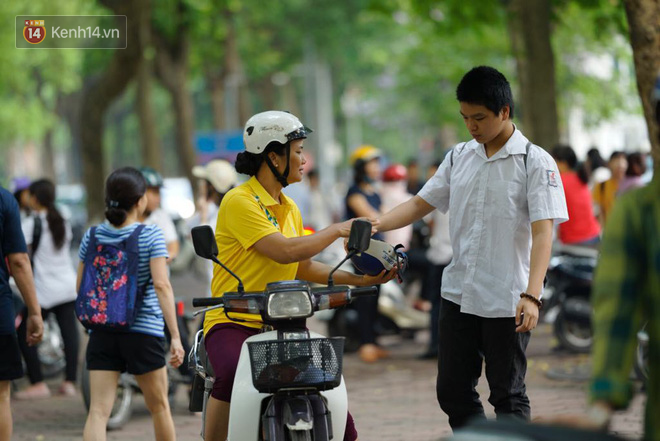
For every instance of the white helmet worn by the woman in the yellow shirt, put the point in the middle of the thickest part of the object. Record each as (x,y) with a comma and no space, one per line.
(273,125)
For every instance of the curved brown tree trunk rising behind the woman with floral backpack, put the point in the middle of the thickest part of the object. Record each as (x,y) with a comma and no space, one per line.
(98,95)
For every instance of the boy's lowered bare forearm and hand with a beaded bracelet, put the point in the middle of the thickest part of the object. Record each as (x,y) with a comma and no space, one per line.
(539,260)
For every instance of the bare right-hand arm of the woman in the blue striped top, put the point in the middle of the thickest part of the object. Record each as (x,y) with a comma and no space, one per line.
(166,299)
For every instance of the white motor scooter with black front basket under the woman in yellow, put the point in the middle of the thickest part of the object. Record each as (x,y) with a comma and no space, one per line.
(288,383)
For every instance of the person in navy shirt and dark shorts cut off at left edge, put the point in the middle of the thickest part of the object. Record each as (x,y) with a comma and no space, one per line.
(13,255)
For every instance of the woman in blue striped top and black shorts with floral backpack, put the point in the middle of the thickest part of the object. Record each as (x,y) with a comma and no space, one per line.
(139,348)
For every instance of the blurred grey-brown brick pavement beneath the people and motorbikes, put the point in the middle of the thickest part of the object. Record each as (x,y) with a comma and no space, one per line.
(393,400)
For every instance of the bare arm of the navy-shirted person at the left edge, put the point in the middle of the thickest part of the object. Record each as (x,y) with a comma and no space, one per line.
(22,272)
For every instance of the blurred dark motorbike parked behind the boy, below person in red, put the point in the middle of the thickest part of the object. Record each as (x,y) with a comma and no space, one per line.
(567,296)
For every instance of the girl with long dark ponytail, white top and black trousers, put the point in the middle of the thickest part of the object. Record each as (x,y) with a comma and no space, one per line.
(48,235)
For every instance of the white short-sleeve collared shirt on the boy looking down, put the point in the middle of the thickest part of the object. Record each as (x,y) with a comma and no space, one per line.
(492,203)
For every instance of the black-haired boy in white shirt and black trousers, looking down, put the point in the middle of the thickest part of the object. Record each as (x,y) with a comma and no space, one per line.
(503,194)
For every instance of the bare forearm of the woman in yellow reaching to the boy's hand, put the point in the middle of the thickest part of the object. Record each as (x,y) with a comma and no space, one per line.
(285,250)
